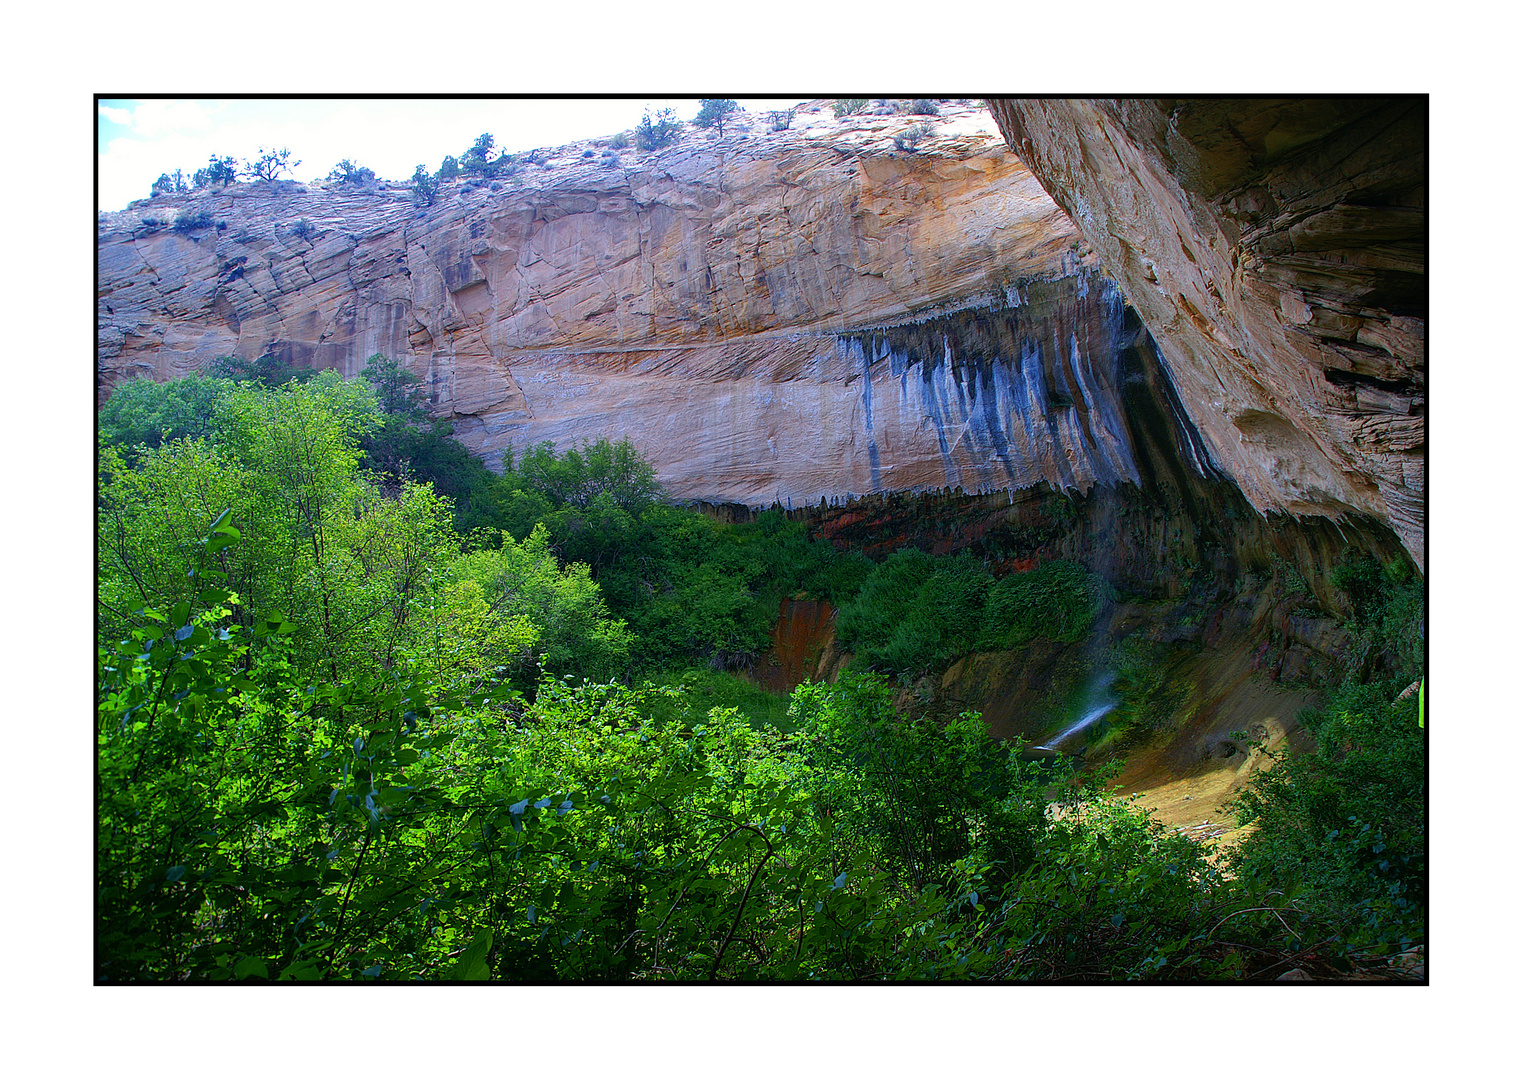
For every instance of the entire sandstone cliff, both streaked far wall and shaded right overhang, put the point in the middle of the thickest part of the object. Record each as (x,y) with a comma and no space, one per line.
(828,313)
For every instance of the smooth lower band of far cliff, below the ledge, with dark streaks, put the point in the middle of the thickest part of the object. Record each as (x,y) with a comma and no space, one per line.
(985,401)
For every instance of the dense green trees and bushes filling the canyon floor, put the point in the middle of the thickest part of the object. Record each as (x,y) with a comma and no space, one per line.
(372,712)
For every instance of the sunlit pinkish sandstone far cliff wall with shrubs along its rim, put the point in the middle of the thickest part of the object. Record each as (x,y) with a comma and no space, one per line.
(791,316)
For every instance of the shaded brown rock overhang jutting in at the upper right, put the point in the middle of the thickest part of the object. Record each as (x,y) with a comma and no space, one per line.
(1276,251)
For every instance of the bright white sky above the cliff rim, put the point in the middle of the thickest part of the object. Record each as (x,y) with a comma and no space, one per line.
(139,139)
